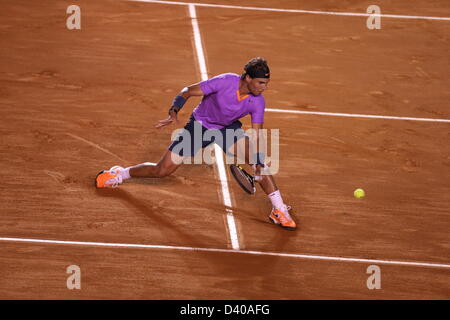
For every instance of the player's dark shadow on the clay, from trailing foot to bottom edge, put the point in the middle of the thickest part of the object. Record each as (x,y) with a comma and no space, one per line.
(245,276)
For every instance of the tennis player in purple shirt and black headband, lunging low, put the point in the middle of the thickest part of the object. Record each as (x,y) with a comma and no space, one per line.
(226,98)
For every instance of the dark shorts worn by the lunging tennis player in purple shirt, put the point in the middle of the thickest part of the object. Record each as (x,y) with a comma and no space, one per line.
(194,137)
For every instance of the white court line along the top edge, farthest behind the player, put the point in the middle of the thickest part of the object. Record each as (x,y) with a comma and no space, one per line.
(351,14)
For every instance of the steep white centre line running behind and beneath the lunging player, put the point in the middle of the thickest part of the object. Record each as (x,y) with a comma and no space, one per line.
(217,151)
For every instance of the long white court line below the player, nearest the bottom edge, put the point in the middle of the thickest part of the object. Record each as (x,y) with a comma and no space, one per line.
(259,253)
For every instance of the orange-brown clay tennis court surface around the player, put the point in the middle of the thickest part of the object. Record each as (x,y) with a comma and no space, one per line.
(356,108)
